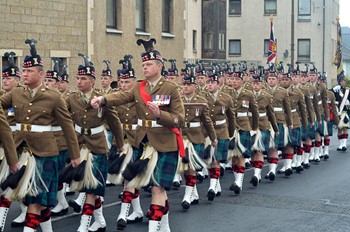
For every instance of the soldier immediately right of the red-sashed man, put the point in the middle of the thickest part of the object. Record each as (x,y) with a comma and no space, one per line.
(197,120)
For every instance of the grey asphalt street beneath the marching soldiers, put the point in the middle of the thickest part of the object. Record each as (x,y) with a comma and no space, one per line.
(316,200)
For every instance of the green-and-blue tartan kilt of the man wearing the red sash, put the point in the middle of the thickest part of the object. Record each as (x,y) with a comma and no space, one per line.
(165,169)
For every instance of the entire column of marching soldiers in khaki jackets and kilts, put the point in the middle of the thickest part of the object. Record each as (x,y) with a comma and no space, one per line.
(144,133)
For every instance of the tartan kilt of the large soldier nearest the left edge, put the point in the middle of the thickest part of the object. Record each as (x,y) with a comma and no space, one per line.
(47,167)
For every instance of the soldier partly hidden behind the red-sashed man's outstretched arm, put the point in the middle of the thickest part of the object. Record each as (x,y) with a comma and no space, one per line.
(128,118)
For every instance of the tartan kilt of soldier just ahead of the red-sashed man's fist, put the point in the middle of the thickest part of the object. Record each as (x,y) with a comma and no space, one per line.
(100,170)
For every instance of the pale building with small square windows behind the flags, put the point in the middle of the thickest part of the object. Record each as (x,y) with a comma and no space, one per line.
(306,31)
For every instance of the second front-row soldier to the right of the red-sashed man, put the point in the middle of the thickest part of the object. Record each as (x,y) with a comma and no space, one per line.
(222,115)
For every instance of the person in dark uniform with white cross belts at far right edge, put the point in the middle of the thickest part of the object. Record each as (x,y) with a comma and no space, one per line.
(343,98)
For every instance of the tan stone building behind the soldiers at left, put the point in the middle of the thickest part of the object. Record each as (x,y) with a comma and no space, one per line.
(101,29)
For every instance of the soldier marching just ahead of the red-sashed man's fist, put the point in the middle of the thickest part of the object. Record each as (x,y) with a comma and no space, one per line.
(89,128)
